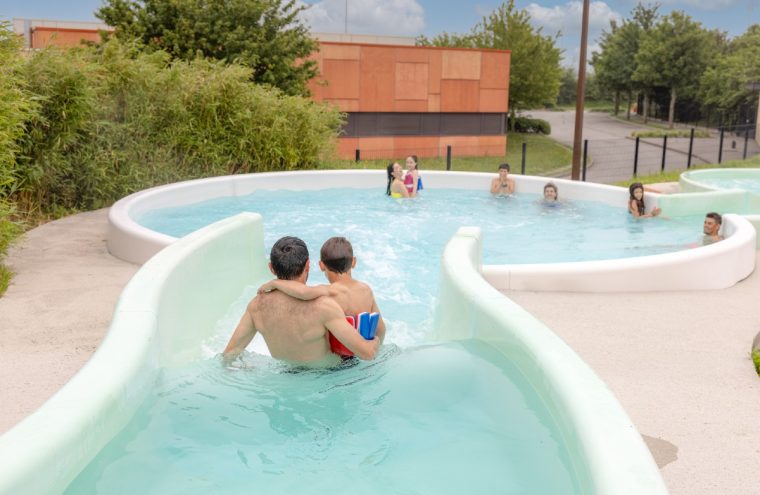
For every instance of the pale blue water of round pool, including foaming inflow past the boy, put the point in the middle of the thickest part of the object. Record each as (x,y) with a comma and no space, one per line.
(398,243)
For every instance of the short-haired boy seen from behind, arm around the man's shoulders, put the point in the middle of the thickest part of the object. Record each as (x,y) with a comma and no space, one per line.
(336,261)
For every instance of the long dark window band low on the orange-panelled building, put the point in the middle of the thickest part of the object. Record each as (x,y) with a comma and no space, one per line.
(366,124)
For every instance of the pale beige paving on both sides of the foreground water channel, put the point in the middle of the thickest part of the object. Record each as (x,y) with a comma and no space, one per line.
(678,361)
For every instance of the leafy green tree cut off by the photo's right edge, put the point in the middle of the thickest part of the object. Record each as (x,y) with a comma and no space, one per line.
(723,86)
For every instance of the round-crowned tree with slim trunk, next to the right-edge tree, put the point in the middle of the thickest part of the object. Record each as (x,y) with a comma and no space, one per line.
(674,55)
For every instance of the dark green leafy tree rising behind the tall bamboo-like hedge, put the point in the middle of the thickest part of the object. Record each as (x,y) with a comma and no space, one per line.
(264,35)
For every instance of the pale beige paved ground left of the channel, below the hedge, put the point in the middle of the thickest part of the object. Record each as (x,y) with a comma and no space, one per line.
(56,310)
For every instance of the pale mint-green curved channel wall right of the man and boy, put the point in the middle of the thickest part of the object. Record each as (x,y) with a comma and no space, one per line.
(610,453)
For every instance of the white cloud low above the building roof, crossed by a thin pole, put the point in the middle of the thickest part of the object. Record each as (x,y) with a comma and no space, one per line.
(383,17)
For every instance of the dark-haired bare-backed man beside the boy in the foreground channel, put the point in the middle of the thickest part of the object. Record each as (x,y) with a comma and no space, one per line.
(296,330)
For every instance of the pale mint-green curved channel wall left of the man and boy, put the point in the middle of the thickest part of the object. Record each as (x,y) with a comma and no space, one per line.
(163,314)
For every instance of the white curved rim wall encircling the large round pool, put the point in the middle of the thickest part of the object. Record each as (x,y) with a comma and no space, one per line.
(673,271)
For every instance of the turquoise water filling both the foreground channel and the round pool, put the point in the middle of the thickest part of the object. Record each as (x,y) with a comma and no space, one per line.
(444,419)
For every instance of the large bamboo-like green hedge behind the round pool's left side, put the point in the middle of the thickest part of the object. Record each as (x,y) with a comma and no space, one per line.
(112,120)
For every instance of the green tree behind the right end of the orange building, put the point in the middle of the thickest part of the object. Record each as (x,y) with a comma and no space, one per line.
(534,71)
